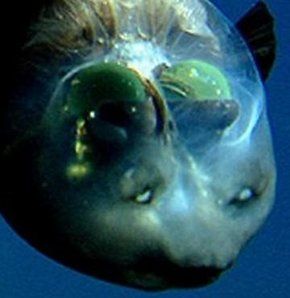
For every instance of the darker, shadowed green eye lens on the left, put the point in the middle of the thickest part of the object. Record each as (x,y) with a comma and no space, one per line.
(103,82)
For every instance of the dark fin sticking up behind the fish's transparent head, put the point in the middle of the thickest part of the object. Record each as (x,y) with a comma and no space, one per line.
(257,28)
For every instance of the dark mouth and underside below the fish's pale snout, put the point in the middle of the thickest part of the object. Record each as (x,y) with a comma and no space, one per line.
(153,275)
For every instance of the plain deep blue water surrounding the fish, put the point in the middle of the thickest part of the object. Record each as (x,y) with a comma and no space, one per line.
(263,269)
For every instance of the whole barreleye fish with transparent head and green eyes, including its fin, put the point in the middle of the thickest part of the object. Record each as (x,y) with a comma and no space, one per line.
(135,142)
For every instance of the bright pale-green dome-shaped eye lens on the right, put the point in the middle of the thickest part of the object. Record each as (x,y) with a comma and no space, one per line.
(196,79)
